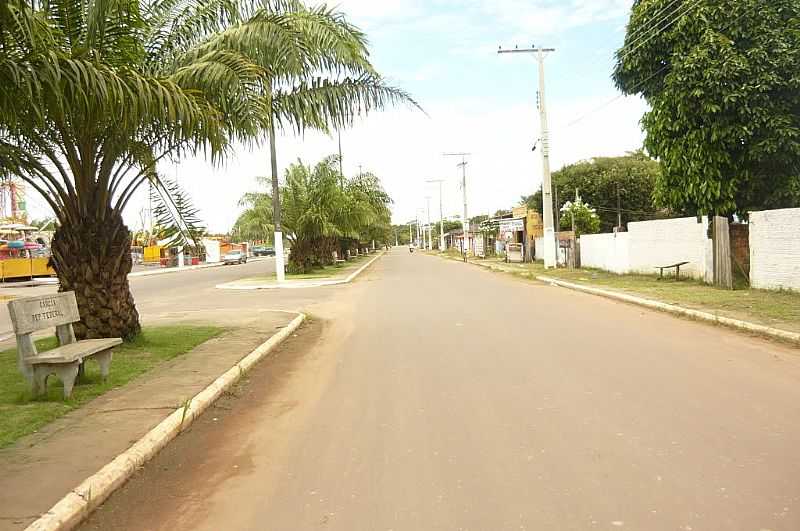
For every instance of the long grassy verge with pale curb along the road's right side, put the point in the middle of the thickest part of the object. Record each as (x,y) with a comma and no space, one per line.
(748,309)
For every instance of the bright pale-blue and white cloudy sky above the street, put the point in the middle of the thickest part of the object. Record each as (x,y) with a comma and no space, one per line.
(444,52)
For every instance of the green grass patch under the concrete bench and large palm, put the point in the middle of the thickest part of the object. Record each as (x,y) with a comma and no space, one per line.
(21,414)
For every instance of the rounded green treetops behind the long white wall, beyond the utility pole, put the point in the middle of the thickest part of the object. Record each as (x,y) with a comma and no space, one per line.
(597,180)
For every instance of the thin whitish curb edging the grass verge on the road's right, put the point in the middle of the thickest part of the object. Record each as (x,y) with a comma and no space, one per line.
(671,308)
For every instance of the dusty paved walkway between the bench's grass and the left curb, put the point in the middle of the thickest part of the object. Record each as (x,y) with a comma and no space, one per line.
(38,470)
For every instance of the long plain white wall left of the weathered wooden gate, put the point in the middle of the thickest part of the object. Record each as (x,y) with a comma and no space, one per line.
(649,244)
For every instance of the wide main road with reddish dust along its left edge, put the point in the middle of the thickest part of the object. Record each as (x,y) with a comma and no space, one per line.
(433,395)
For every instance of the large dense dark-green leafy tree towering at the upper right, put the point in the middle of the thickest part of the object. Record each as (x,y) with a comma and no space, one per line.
(722,78)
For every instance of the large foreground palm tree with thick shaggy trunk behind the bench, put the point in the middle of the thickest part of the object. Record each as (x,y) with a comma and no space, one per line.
(115,87)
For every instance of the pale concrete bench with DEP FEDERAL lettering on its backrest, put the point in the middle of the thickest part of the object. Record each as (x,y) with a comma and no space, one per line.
(60,310)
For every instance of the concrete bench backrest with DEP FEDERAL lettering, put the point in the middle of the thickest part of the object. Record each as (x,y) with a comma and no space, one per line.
(32,314)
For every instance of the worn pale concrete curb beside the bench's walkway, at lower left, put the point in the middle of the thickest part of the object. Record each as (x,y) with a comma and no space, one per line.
(93,491)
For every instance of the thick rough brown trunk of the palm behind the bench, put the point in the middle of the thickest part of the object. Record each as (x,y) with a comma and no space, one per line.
(93,259)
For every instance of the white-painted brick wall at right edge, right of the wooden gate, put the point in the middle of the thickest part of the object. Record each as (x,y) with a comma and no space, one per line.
(775,249)
